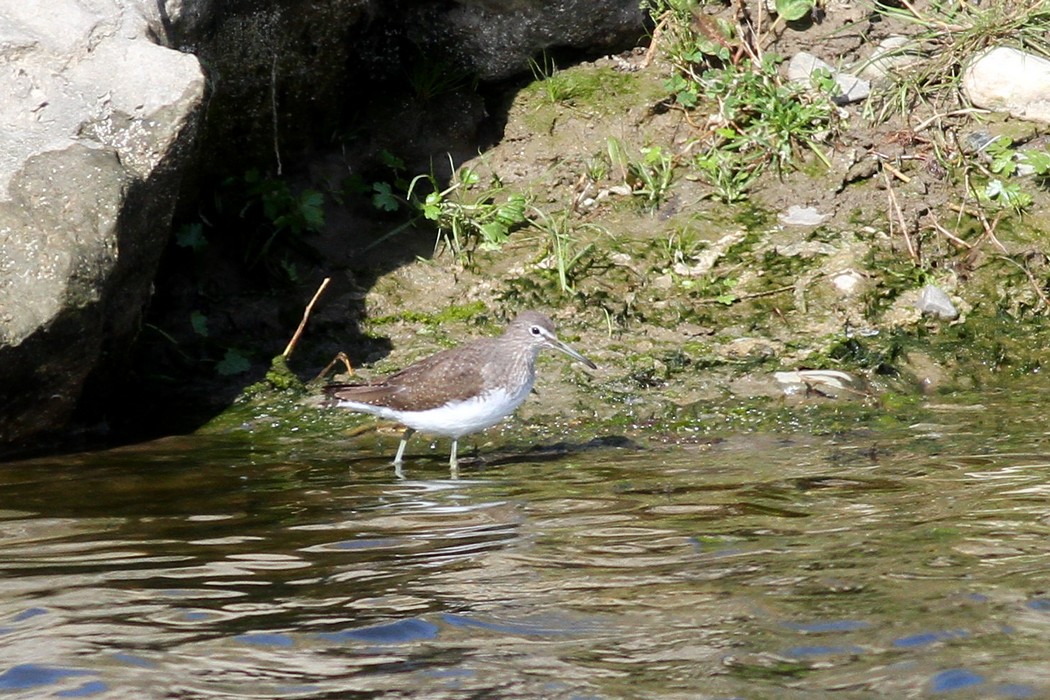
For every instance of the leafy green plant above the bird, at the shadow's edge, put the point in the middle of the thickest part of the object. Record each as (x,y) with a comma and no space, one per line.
(467,216)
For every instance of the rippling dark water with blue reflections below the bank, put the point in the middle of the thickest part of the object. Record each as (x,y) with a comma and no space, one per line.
(914,564)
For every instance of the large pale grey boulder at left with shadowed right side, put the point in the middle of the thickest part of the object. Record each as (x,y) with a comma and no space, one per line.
(96,125)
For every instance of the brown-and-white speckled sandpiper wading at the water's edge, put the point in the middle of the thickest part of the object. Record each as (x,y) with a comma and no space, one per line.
(461,390)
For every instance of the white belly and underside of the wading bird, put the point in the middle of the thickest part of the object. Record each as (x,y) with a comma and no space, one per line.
(453,420)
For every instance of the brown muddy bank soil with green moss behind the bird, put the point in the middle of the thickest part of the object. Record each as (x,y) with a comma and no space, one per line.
(690,308)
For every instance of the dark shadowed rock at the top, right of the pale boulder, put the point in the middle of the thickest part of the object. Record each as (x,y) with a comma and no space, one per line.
(337,75)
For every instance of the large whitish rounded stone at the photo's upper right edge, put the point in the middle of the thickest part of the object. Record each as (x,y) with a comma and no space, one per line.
(1010,80)
